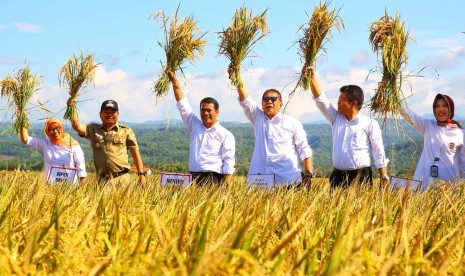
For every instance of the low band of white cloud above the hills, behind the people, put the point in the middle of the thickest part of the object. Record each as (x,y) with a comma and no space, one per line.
(137,102)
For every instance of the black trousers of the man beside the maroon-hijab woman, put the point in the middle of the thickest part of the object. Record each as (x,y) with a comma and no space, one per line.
(341,178)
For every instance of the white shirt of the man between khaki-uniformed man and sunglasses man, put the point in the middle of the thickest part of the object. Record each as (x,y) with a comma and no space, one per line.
(211,149)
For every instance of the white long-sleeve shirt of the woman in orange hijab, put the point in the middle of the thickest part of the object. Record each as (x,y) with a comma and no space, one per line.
(54,155)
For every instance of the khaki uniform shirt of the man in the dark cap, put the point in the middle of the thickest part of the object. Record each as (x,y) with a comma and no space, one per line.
(110,147)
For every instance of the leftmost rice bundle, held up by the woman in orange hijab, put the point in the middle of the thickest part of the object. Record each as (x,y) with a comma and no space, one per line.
(18,90)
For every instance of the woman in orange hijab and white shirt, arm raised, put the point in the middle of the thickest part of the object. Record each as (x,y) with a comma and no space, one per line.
(59,150)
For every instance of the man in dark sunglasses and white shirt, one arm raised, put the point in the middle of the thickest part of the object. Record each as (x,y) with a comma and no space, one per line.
(280,140)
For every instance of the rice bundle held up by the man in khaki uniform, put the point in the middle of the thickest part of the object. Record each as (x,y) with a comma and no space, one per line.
(76,74)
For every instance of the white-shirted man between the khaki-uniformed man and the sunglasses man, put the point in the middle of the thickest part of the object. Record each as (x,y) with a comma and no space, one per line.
(212,147)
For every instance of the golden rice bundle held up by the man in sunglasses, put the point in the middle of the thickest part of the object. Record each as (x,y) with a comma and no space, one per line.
(238,40)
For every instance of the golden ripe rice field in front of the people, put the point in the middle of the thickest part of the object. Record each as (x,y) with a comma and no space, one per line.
(110,230)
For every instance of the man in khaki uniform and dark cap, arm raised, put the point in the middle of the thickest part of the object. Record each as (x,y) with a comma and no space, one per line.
(110,143)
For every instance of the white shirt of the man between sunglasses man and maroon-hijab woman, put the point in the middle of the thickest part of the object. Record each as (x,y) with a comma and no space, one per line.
(354,140)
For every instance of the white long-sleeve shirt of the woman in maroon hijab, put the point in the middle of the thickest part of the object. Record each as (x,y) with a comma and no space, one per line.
(444,142)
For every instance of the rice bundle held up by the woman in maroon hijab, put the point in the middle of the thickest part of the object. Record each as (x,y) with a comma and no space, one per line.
(389,38)
